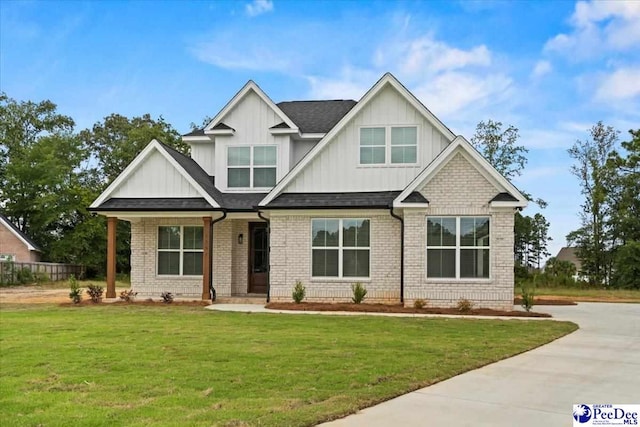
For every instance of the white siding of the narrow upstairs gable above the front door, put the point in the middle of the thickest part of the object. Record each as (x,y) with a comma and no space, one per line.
(251,119)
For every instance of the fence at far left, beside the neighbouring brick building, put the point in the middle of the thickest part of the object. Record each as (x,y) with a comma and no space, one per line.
(29,272)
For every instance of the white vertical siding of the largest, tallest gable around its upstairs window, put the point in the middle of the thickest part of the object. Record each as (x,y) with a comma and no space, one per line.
(337,168)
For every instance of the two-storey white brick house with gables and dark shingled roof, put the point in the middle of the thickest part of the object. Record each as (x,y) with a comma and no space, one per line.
(329,193)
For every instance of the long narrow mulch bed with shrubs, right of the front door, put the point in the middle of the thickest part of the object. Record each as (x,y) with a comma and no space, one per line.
(388,308)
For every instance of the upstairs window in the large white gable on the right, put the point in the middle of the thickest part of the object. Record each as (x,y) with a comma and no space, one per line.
(403,147)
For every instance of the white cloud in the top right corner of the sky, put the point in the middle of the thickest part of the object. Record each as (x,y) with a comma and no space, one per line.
(599,27)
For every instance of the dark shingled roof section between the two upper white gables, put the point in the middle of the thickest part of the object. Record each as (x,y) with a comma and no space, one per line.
(316,116)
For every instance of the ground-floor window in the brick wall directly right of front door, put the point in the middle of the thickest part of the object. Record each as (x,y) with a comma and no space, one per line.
(340,248)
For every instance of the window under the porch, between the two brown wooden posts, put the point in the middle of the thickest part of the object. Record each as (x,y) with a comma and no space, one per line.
(180,251)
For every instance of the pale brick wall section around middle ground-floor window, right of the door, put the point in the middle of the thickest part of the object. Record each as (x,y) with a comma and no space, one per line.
(291,260)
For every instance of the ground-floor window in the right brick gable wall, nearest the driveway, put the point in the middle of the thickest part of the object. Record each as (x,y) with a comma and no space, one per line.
(458,247)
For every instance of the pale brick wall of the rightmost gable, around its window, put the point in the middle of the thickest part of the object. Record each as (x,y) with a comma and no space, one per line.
(459,189)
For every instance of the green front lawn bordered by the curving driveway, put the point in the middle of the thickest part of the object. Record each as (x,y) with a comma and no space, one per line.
(133,365)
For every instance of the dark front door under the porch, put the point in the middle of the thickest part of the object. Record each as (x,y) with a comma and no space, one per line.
(258,257)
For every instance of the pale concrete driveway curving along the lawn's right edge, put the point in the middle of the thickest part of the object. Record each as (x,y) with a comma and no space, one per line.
(599,363)
